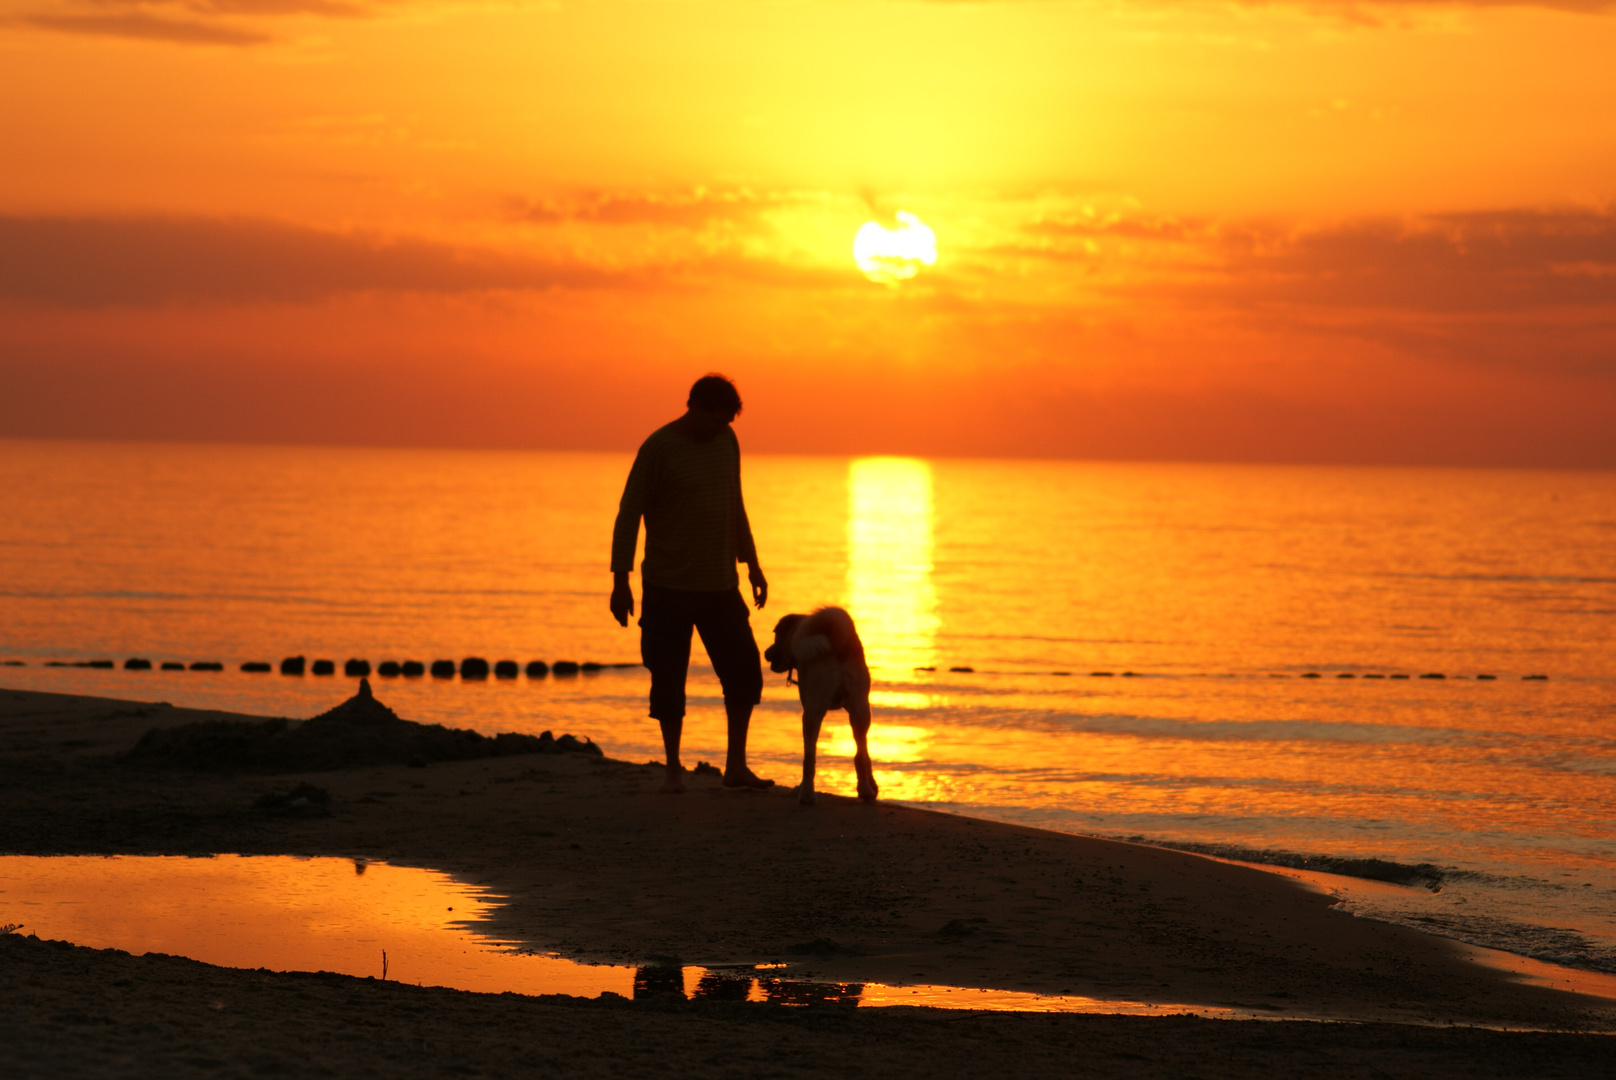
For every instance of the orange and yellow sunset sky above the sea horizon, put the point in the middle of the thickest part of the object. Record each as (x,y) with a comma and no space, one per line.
(1329,232)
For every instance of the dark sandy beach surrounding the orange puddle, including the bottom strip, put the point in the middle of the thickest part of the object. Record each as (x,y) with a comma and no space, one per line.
(600,867)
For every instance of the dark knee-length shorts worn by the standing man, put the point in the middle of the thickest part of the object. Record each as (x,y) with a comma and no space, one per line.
(725,625)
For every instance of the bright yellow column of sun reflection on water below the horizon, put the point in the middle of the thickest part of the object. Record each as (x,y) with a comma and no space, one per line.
(890,563)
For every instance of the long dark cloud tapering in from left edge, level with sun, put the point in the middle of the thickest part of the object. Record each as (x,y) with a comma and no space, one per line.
(98,263)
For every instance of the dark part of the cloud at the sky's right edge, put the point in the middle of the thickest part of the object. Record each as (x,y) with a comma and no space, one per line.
(1505,290)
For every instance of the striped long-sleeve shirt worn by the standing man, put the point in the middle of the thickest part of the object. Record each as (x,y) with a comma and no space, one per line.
(696,521)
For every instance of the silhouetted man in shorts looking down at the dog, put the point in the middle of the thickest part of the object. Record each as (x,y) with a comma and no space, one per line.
(686,483)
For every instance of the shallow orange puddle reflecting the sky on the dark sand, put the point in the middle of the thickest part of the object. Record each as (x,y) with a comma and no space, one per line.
(350,916)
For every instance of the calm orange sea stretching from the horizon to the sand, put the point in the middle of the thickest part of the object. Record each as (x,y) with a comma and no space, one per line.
(1402,680)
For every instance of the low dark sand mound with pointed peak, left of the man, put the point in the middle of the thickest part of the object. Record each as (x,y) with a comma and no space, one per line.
(360,732)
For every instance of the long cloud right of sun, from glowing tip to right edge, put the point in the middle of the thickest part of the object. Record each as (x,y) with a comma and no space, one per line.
(1517,289)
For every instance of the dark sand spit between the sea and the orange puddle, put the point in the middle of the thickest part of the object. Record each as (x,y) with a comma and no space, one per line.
(595,866)
